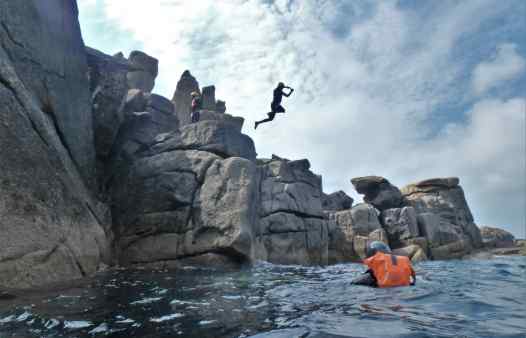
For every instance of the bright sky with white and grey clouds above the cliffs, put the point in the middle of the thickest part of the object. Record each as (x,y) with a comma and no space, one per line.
(407,89)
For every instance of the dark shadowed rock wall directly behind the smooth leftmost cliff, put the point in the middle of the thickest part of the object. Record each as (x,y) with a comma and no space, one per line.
(126,116)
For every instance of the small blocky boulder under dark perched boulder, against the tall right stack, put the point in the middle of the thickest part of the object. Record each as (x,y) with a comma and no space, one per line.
(400,225)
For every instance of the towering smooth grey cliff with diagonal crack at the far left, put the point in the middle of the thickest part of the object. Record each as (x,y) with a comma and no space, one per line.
(52,228)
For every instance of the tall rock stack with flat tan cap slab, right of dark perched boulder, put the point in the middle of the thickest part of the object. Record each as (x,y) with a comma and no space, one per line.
(443,216)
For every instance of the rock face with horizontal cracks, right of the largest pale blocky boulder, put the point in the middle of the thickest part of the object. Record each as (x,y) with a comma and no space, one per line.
(291,229)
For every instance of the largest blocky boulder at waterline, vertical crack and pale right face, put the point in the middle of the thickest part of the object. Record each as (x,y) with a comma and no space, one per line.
(186,203)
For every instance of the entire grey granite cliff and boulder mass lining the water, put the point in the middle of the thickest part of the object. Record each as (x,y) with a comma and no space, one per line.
(98,171)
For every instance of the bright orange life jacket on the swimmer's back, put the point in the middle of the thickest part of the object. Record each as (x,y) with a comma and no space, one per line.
(390,270)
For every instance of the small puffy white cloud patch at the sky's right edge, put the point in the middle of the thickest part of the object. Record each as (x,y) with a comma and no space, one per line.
(507,65)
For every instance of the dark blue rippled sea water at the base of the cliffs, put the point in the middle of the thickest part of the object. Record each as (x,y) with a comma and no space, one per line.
(451,299)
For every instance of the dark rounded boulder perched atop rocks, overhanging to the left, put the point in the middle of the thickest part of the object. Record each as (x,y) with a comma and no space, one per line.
(378,191)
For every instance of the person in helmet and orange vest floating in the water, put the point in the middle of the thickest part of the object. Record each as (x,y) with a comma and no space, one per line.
(385,269)
